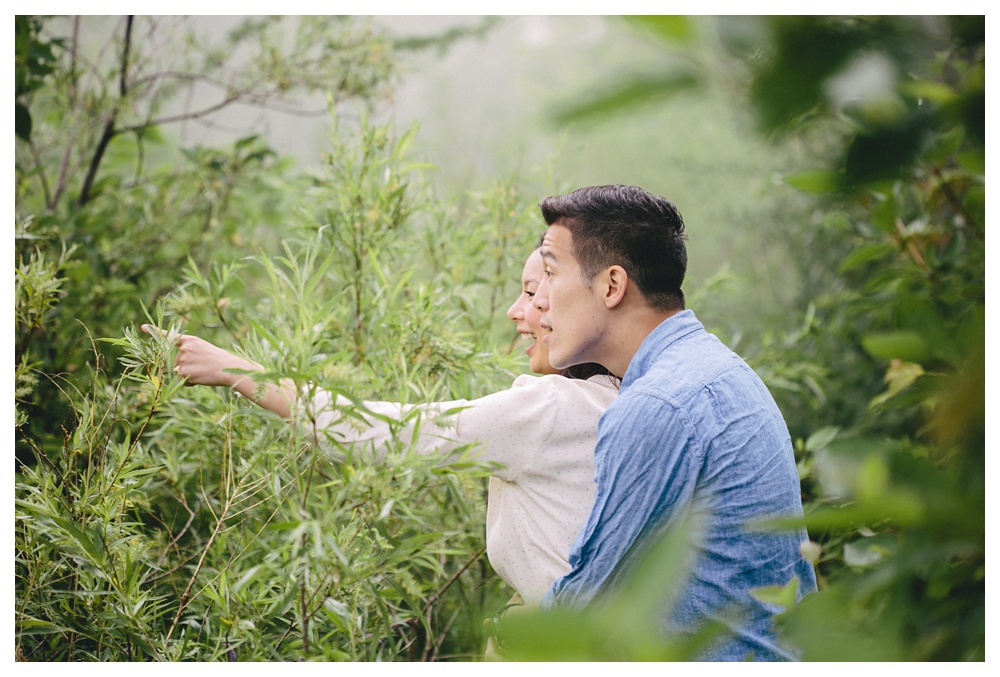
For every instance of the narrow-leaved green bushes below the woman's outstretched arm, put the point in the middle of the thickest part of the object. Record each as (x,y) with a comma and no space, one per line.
(220,532)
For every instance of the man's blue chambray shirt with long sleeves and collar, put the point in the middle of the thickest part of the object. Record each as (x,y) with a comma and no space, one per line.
(694,425)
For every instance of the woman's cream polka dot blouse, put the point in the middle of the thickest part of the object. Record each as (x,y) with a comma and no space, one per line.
(540,433)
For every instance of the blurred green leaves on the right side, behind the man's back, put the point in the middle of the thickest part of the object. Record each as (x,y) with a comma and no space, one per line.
(882,381)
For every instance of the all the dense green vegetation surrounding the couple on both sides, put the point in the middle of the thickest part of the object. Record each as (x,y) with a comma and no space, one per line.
(157,522)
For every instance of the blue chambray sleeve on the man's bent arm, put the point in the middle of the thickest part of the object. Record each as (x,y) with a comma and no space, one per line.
(646,463)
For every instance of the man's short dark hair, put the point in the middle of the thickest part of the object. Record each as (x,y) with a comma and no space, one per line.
(626,226)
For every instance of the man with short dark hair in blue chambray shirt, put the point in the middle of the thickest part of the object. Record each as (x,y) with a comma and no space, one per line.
(694,428)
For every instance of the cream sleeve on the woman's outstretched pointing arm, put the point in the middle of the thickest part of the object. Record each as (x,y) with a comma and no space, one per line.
(507,427)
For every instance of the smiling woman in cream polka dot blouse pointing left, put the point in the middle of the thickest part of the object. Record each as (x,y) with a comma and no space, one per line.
(541,432)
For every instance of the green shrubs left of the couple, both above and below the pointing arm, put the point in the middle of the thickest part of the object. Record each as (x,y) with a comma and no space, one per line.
(158,522)
